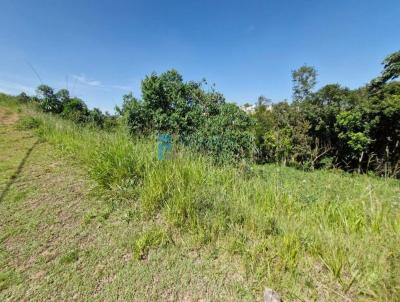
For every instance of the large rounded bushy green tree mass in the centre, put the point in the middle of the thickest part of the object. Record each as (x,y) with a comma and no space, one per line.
(200,119)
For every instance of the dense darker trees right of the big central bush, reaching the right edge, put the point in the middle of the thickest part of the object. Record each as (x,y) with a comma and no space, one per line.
(355,130)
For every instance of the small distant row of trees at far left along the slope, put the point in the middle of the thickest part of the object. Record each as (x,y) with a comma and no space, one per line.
(72,108)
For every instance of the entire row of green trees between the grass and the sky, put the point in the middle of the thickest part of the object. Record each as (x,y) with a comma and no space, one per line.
(352,129)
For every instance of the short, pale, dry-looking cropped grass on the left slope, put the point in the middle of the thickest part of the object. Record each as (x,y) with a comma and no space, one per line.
(61,242)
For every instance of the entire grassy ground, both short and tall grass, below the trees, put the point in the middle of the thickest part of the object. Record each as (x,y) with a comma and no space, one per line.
(89,215)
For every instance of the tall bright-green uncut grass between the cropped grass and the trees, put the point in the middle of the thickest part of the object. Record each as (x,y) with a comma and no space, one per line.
(318,235)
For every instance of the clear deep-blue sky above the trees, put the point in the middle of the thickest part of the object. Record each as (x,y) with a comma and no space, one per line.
(101,50)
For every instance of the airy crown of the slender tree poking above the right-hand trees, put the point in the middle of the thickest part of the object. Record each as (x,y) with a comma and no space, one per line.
(304,80)
